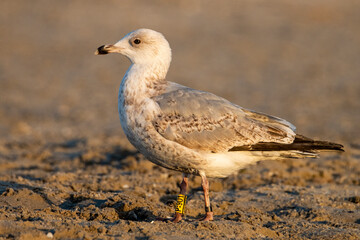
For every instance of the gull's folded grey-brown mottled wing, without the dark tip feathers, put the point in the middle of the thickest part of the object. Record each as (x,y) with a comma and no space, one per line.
(203,121)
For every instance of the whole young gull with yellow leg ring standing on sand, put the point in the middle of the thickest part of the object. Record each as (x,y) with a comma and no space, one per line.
(192,131)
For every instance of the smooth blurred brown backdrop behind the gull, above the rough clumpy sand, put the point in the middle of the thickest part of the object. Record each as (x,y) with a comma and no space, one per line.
(299,60)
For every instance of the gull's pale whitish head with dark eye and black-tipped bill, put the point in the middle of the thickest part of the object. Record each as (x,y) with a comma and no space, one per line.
(142,46)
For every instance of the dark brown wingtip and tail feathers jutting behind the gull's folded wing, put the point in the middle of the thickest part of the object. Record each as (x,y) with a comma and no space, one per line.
(301,143)
